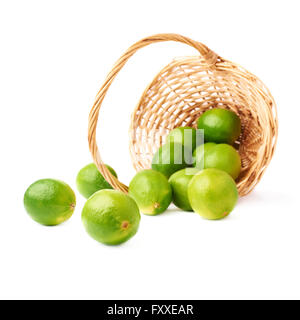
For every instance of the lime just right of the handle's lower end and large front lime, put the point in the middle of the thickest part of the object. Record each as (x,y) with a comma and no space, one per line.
(151,191)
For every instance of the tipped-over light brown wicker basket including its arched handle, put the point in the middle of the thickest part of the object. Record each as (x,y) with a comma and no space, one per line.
(180,93)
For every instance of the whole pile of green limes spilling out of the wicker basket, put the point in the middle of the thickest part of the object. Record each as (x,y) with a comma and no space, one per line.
(196,174)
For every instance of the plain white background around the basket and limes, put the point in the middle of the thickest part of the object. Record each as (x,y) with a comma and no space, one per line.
(54,56)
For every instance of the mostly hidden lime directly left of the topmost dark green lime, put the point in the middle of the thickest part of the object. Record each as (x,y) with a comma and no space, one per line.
(184,135)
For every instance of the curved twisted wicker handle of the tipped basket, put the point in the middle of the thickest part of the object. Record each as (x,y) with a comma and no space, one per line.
(205,52)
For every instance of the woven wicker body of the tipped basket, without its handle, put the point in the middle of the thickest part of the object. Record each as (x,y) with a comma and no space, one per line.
(183,91)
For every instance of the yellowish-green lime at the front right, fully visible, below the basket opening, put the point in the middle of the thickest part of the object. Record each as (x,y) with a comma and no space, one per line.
(212,193)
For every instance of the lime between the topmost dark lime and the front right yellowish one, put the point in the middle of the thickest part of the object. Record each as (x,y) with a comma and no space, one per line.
(223,157)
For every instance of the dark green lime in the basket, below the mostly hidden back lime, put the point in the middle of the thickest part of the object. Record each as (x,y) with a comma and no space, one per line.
(172,157)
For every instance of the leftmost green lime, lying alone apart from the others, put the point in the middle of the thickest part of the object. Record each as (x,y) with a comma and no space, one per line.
(49,202)
